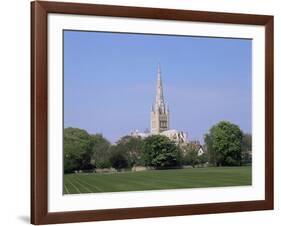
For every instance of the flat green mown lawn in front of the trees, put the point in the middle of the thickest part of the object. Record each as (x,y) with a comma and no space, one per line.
(157,179)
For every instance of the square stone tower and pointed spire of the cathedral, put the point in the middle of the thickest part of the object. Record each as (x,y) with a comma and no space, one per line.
(159,112)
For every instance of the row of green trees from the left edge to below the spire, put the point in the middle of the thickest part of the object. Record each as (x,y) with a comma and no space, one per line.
(86,152)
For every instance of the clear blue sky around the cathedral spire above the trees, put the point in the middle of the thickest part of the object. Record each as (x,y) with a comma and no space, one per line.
(110,81)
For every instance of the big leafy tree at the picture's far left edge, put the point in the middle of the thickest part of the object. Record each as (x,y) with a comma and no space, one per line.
(77,150)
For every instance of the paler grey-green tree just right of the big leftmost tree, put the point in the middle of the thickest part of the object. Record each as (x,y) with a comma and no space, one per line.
(100,151)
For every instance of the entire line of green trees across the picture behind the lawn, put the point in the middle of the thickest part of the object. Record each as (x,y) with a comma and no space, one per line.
(225,145)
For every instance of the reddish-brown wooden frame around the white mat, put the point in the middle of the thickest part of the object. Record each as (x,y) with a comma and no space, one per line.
(39,112)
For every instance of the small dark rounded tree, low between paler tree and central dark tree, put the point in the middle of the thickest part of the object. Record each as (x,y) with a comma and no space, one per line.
(118,158)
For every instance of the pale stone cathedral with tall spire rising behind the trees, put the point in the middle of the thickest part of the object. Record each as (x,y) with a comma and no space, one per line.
(160,117)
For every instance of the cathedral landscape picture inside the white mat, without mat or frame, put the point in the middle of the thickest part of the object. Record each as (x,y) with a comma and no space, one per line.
(152,112)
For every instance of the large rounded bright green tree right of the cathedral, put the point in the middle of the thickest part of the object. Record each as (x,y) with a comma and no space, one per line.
(224,143)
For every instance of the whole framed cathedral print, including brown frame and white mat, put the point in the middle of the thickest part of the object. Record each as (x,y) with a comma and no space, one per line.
(149,112)
